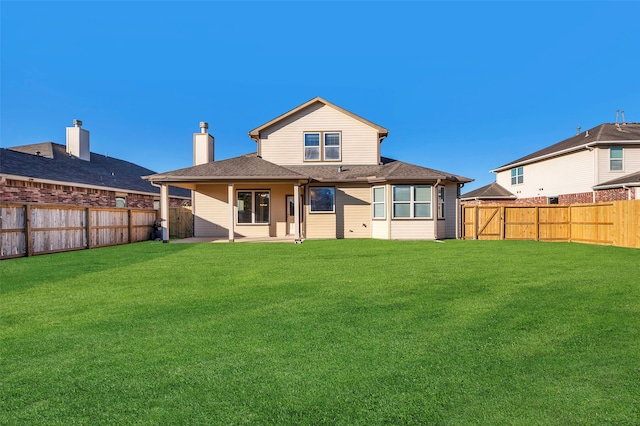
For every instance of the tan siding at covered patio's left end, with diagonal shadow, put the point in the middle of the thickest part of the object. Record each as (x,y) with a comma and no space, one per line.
(210,214)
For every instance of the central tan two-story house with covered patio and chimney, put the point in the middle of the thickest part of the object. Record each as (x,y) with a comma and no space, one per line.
(317,173)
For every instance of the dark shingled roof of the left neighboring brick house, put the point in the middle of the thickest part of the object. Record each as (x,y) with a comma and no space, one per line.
(50,162)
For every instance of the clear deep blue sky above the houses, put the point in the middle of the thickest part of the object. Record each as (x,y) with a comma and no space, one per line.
(463,87)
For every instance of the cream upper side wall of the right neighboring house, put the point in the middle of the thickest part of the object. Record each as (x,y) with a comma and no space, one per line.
(568,174)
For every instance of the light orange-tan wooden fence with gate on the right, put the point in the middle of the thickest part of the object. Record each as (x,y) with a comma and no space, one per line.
(612,223)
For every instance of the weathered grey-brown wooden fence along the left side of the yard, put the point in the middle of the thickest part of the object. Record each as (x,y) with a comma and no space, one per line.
(29,229)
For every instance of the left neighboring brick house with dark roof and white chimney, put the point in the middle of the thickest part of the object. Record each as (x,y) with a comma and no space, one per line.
(52,173)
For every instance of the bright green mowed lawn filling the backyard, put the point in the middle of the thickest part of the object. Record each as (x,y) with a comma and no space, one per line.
(348,332)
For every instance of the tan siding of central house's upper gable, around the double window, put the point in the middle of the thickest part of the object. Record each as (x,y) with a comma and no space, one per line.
(283,143)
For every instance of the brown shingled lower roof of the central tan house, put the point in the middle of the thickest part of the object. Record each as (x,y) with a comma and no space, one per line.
(252,167)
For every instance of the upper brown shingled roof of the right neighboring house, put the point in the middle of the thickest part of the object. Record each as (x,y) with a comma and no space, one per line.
(603,134)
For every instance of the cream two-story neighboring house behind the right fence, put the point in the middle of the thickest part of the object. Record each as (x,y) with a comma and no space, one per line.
(600,164)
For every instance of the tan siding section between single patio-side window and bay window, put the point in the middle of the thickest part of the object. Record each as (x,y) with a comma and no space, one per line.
(353,208)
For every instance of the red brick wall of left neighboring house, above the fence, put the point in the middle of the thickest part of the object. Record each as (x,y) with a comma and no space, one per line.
(16,191)
